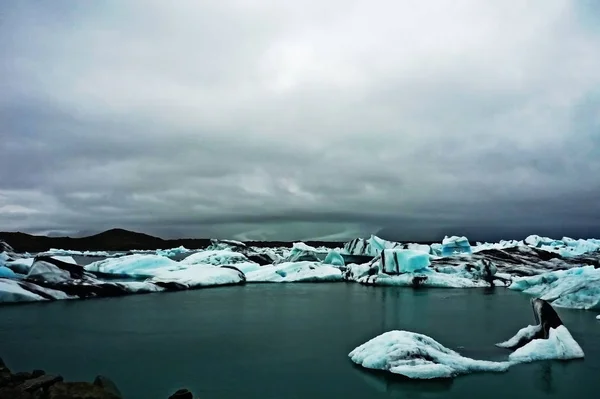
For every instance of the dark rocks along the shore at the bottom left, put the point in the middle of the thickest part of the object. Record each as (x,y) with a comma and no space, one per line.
(40,385)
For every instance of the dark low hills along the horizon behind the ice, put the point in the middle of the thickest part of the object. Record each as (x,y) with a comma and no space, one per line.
(121,240)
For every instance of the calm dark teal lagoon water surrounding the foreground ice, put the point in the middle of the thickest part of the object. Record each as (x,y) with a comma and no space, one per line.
(288,341)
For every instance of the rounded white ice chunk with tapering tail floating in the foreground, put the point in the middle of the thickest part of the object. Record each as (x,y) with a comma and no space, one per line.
(417,356)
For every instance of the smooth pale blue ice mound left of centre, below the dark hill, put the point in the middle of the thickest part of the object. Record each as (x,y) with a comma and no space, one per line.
(138,265)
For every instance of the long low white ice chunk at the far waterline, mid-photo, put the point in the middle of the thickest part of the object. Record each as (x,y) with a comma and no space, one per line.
(295,272)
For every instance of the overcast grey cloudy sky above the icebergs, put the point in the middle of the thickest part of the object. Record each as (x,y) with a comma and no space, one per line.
(303,120)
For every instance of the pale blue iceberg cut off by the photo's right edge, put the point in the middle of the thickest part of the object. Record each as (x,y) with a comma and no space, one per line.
(577,288)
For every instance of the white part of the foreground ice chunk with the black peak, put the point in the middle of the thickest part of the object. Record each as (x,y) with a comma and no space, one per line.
(559,345)
